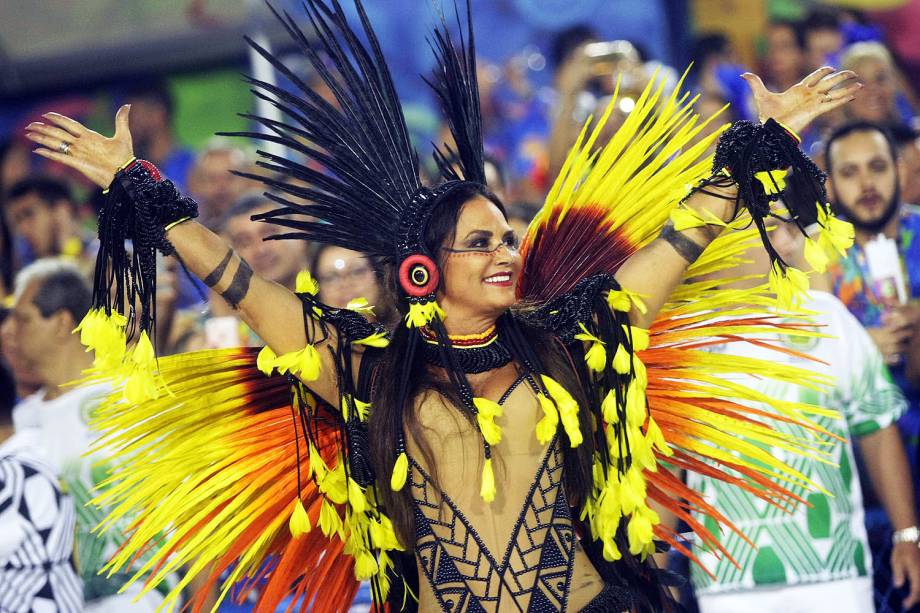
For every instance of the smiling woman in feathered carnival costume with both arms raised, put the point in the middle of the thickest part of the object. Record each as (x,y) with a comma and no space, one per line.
(498,450)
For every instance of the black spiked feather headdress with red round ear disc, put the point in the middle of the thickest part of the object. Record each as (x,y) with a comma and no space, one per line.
(367,196)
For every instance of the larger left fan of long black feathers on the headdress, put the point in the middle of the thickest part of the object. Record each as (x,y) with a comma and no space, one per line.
(364,170)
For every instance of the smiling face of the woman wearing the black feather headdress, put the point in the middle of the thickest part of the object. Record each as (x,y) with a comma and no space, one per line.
(480,267)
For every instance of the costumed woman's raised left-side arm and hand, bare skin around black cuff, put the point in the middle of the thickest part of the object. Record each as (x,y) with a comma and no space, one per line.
(271,310)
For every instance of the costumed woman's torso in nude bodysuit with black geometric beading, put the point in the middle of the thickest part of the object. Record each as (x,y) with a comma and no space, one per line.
(517,553)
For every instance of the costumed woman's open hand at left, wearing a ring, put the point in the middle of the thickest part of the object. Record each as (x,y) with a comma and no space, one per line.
(69,142)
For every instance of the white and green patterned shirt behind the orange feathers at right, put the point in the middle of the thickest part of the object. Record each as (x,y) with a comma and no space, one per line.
(826,541)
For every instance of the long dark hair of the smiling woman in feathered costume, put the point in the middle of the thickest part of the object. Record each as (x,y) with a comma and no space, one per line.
(393,413)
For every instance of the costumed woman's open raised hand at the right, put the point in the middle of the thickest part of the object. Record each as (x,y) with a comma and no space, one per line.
(823,90)
